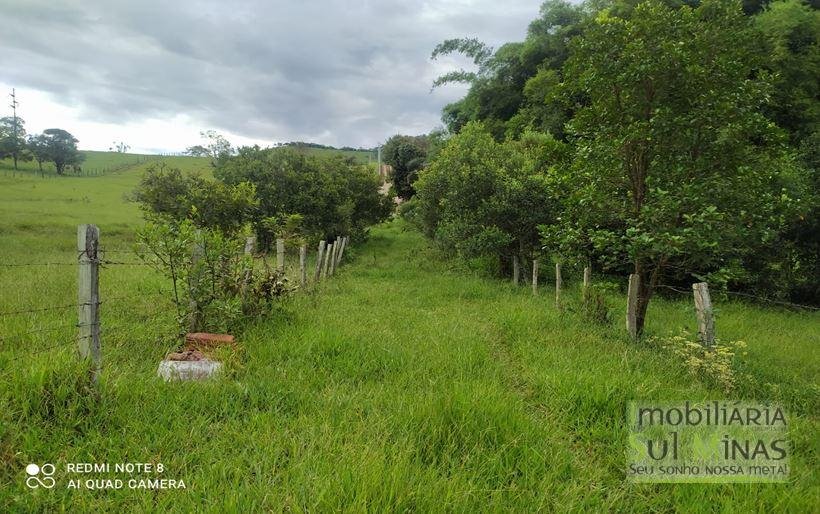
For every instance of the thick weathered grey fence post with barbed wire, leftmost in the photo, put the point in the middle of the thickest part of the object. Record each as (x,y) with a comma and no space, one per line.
(88,243)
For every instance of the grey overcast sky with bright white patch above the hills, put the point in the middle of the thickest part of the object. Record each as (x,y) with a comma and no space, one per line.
(154,73)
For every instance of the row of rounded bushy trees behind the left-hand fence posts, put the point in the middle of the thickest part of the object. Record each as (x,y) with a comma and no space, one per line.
(273,192)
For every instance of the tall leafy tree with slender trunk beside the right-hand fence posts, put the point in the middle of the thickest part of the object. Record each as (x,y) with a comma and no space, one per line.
(675,164)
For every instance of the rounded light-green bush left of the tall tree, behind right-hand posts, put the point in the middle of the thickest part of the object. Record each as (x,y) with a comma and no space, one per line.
(479,197)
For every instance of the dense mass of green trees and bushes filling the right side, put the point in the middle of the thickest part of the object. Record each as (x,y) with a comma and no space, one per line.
(673,140)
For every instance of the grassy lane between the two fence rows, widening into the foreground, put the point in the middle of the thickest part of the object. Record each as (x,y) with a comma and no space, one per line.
(402,385)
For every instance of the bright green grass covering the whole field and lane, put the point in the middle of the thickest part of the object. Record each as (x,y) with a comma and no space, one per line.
(405,383)
